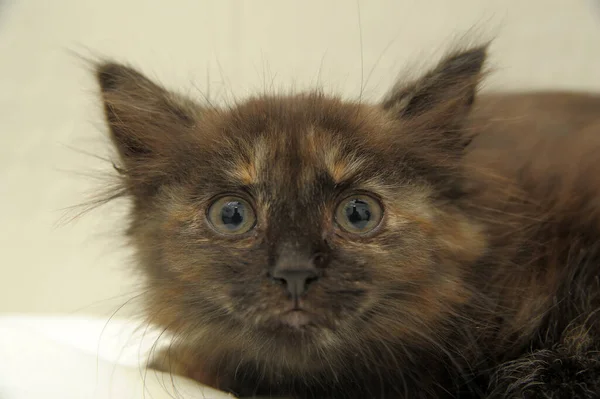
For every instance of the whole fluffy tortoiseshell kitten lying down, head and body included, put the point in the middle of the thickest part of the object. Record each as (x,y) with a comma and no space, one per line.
(439,244)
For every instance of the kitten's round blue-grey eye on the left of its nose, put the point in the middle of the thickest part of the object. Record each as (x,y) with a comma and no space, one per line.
(231,215)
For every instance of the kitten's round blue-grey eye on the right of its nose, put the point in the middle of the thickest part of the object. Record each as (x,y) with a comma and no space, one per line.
(359,214)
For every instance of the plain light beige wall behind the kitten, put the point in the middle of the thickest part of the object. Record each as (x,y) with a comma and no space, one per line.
(49,113)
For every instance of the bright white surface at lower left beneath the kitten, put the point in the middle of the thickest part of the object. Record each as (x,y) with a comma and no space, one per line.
(84,358)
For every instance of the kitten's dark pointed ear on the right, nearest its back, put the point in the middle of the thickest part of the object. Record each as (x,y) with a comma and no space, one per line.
(443,97)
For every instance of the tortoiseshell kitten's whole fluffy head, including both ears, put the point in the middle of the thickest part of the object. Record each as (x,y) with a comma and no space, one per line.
(288,227)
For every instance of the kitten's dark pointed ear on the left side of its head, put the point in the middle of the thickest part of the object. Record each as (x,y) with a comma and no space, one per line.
(144,119)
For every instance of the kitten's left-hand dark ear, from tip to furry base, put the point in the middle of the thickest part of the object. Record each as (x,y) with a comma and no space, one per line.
(148,125)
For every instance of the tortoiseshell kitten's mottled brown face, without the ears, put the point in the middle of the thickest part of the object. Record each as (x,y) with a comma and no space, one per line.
(281,199)
